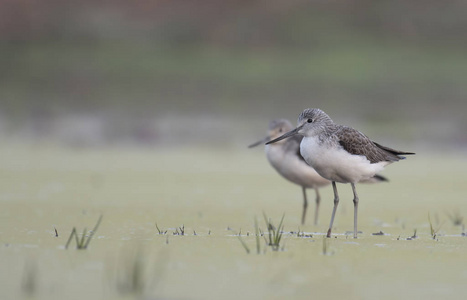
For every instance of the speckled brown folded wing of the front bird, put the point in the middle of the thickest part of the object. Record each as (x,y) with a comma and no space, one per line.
(355,142)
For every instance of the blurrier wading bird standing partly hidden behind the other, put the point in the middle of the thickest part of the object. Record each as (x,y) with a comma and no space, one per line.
(285,157)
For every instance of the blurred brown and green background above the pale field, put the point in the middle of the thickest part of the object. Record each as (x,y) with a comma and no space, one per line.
(169,73)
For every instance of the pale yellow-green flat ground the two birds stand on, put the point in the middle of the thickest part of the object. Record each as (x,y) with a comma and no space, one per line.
(210,191)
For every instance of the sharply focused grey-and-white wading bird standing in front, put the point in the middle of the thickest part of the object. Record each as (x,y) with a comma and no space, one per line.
(340,153)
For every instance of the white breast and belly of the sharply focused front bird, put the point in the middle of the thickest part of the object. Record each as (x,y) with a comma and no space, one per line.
(336,164)
